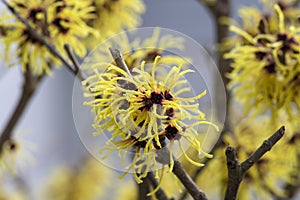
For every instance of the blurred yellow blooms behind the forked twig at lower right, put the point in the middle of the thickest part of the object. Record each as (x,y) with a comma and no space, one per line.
(269,176)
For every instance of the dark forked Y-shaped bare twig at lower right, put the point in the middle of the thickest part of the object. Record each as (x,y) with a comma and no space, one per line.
(236,171)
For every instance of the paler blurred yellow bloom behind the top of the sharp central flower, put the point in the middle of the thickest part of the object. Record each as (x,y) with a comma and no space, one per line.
(137,50)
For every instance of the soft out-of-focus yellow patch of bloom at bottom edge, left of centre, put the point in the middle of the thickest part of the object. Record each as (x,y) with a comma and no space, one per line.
(90,181)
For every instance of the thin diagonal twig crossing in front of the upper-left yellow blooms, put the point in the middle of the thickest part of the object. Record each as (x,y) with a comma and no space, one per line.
(40,38)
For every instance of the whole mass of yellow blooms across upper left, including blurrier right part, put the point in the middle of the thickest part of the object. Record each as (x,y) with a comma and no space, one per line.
(60,21)
